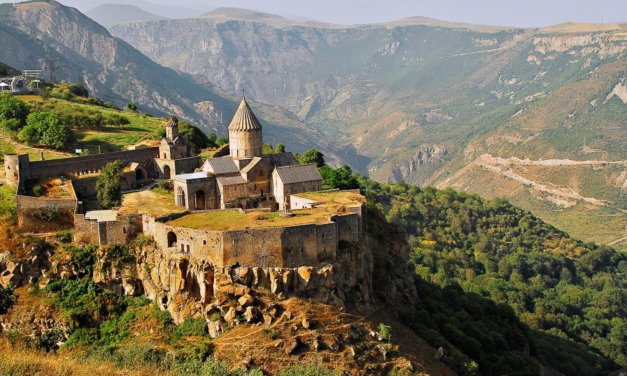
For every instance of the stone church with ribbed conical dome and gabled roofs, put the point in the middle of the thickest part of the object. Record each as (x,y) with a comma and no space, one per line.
(245,178)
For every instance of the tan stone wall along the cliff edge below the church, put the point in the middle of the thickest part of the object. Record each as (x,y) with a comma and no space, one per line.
(309,244)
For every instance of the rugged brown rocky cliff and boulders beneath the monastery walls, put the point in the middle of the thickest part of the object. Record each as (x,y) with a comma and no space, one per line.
(327,313)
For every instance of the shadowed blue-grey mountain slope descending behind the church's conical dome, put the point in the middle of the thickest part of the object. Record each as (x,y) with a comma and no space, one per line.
(77,49)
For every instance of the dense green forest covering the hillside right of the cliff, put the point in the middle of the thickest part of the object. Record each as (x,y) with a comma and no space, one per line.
(499,285)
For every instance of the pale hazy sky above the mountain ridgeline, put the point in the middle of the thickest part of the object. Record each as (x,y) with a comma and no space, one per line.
(495,12)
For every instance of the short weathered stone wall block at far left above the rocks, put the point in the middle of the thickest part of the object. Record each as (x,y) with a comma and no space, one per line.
(36,214)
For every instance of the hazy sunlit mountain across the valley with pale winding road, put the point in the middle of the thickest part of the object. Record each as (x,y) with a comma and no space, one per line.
(423,101)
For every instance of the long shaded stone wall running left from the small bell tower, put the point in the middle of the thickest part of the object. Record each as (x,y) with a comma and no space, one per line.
(58,167)
